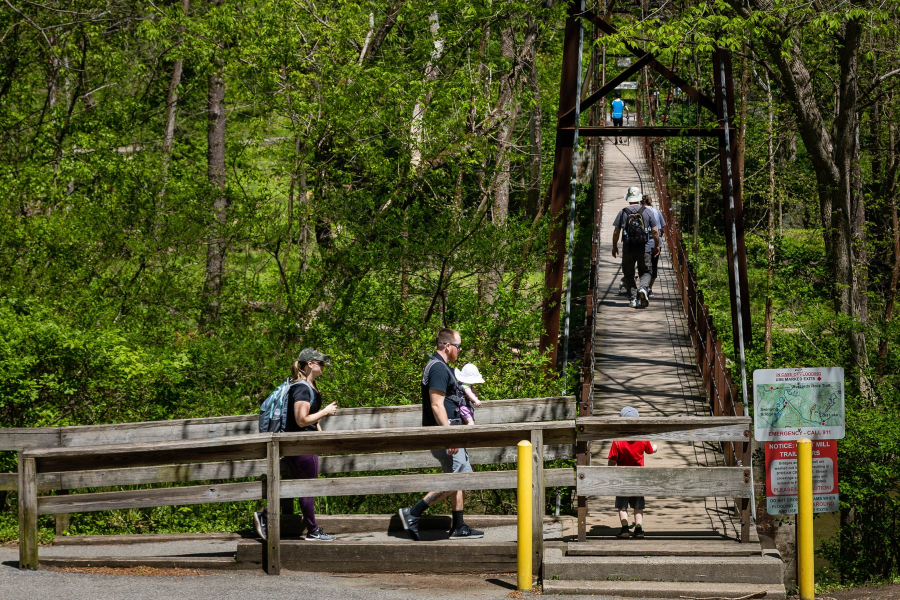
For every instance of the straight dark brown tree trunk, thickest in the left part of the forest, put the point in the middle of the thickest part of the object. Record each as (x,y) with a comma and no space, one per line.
(215,156)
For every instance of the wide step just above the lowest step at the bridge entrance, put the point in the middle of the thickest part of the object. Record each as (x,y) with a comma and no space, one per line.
(712,569)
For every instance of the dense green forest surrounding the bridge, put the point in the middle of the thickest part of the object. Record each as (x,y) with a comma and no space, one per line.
(192,191)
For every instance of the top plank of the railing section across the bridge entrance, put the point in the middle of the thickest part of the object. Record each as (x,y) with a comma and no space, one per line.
(711,429)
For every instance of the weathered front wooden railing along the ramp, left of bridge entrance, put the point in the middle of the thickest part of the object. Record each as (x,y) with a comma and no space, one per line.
(125,463)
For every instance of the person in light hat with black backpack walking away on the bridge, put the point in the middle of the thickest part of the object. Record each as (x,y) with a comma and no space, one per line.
(641,241)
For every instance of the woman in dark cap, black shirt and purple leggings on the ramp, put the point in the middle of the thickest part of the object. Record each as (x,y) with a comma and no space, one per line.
(304,413)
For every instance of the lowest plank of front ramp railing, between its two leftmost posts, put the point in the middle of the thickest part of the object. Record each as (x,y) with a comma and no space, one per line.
(196,494)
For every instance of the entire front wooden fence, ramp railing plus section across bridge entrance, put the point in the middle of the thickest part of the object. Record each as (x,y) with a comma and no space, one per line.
(228,458)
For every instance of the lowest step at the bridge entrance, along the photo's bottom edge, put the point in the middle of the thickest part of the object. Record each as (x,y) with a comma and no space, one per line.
(658,589)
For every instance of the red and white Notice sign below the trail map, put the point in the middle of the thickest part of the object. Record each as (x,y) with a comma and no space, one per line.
(781,477)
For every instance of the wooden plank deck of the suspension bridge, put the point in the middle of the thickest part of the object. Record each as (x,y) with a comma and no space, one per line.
(644,359)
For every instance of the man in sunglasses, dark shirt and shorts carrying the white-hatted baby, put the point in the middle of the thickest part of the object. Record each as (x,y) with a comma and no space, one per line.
(441,409)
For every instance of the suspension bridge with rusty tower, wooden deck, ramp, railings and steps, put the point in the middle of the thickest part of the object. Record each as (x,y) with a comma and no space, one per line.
(666,361)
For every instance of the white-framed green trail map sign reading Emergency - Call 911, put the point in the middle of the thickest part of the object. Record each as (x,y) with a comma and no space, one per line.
(790,404)
